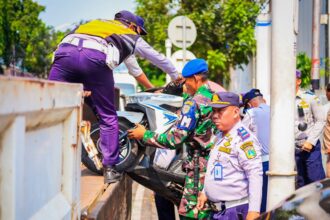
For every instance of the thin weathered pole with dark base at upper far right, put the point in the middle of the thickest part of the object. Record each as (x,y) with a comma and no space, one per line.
(315,75)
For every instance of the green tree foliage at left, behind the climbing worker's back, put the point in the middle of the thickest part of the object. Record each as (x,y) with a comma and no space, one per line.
(25,40)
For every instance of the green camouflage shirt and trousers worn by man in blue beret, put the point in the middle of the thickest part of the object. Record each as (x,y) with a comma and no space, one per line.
(194,128)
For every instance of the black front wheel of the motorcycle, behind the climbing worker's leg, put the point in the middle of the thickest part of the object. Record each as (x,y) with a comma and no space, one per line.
(128,149)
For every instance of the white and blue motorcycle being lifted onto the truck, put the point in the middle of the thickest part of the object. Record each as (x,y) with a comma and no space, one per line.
(157,169)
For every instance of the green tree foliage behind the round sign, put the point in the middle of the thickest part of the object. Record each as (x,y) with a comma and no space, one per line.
(225,30)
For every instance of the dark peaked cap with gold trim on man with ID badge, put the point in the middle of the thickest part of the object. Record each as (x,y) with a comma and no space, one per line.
(225,99)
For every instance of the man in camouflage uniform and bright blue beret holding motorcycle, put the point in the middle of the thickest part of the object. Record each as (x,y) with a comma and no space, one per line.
(195,128)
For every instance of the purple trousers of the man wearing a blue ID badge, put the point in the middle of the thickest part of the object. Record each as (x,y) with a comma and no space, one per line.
(233,213)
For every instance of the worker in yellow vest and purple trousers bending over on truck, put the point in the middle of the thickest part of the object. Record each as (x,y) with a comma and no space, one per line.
(89,54)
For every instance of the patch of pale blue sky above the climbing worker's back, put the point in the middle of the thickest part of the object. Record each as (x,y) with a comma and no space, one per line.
(62,13)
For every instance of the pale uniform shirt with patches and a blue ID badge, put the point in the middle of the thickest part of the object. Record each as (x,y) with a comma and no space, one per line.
(241,174)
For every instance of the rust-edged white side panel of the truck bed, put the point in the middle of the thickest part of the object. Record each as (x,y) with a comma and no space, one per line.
(39,149)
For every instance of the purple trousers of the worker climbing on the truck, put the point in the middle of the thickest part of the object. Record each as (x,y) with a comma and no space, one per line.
(76,64)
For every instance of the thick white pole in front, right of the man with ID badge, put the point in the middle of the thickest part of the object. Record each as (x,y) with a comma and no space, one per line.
(281,173)
